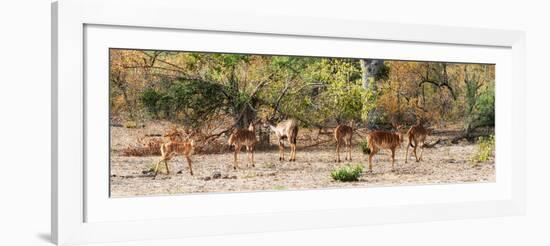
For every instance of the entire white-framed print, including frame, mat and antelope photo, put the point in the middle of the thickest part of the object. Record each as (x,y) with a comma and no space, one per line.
(175,125)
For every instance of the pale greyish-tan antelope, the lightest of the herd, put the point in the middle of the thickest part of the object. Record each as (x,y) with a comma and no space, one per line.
(287,129)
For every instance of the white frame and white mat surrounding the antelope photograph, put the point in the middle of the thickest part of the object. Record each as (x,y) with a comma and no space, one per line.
(82,211)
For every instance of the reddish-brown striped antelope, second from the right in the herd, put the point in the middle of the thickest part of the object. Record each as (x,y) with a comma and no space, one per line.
(378,140)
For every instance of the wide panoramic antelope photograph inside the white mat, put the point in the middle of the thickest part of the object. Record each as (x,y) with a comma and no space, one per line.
(187,122)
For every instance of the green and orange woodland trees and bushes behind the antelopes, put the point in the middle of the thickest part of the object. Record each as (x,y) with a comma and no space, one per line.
(219,92)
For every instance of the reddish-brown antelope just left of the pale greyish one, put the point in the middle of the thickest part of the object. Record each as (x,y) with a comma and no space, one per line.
(246,137)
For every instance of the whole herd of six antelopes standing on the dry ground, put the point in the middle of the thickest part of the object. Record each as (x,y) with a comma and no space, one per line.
(288,130)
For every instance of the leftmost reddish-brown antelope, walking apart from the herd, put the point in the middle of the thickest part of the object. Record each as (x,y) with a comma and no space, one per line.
(176,145)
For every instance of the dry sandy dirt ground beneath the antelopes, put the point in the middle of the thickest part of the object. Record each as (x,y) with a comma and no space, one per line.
(444,163)
